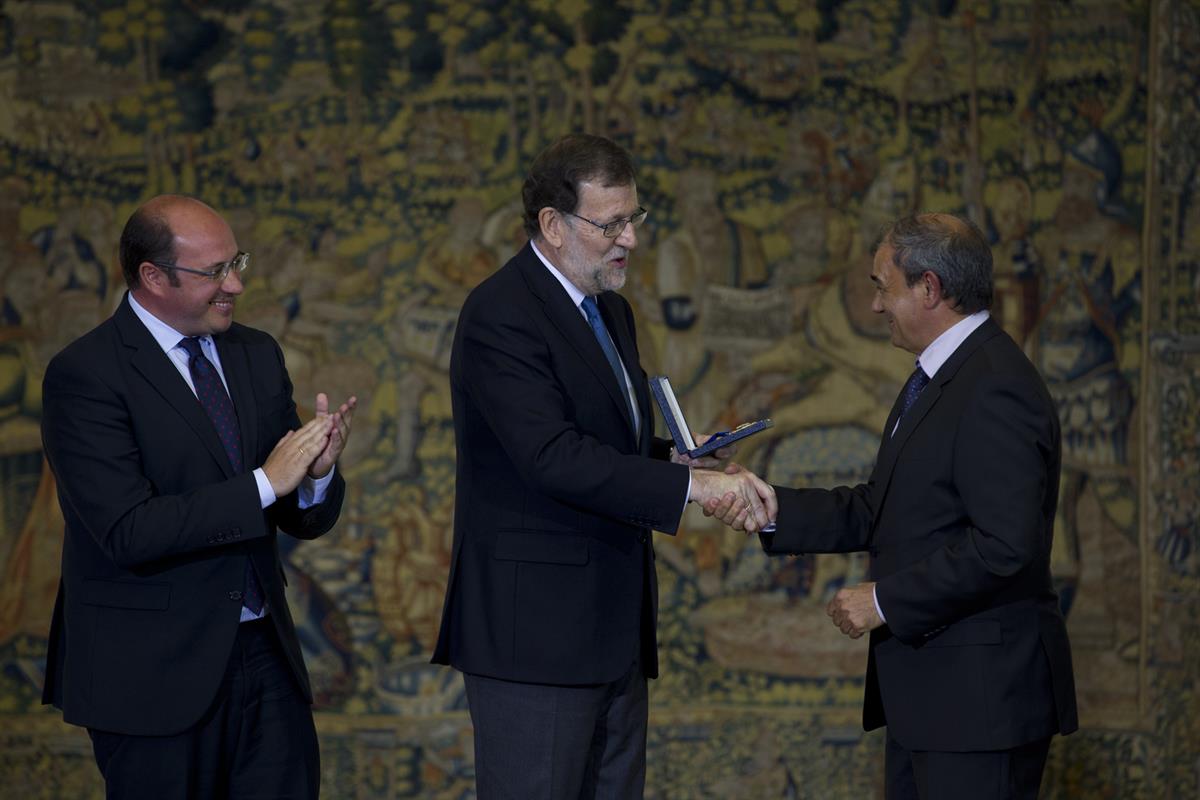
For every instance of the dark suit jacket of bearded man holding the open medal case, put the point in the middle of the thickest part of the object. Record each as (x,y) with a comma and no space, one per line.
(553,574)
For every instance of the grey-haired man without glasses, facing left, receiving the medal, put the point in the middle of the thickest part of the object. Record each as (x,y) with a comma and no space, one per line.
(969,664)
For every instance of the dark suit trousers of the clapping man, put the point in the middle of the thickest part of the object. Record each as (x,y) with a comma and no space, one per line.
(257,742)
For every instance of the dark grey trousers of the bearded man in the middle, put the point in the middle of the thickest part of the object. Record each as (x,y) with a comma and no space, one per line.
(536,742)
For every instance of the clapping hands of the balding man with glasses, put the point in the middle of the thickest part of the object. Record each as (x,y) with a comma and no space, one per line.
(311,450)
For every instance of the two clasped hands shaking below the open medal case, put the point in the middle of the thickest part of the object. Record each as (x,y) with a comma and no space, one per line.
(730,492)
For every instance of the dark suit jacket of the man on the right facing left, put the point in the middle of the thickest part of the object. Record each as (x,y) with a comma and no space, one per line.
(958,518)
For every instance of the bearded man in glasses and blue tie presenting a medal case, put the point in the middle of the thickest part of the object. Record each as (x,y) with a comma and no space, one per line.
(550,610)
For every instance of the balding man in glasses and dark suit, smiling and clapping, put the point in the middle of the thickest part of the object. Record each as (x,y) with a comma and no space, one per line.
(178,454)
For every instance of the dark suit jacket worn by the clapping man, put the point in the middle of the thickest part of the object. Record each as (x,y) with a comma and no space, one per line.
(159,527)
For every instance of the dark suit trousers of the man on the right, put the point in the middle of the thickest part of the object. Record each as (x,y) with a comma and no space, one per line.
(1012,774)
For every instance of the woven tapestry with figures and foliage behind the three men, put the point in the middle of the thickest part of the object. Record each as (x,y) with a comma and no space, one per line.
(370,155)
